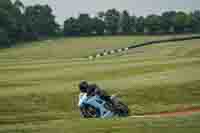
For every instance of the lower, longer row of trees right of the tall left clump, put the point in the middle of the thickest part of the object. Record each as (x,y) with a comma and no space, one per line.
(114,22)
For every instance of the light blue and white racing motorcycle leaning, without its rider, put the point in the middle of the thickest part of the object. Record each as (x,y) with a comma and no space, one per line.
(96,107)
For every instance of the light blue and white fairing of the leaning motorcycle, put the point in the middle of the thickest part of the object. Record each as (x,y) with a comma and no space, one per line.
(97,103)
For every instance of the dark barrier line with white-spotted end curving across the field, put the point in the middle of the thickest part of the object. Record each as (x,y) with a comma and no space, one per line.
(141,45)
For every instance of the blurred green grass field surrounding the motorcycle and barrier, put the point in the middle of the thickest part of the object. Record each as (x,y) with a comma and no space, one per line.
(38,84)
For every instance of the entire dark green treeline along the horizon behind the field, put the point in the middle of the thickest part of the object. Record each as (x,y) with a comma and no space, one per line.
(20,23)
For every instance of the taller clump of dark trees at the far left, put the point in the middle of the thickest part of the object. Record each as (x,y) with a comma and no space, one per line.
(25,23)
